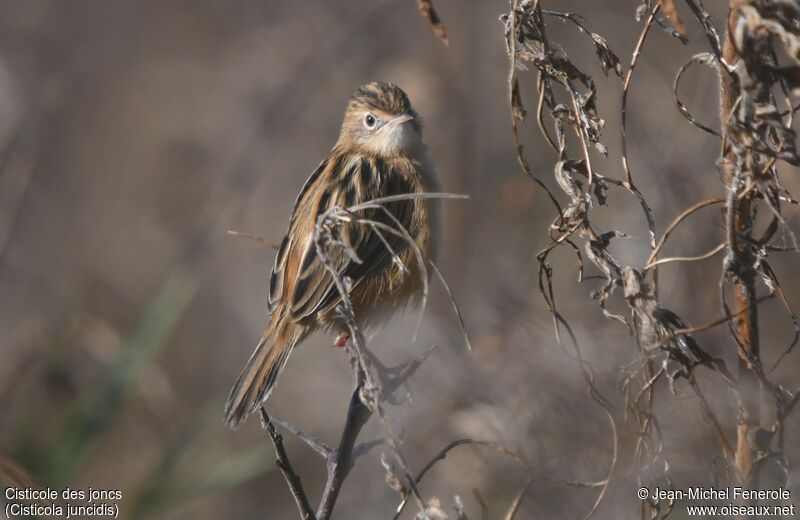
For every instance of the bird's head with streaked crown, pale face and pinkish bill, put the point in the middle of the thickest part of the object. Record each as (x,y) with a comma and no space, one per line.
(380,120)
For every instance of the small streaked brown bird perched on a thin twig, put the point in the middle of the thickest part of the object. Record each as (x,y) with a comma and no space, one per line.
(379,153)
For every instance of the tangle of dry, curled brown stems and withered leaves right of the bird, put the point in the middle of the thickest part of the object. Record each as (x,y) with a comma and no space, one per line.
(756,135)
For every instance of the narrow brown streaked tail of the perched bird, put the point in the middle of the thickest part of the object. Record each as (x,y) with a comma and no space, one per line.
(261,372)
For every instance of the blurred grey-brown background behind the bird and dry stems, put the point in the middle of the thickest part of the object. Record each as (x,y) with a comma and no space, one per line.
(135,133)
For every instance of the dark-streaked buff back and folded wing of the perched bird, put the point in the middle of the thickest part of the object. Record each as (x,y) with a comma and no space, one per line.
(299,278)
